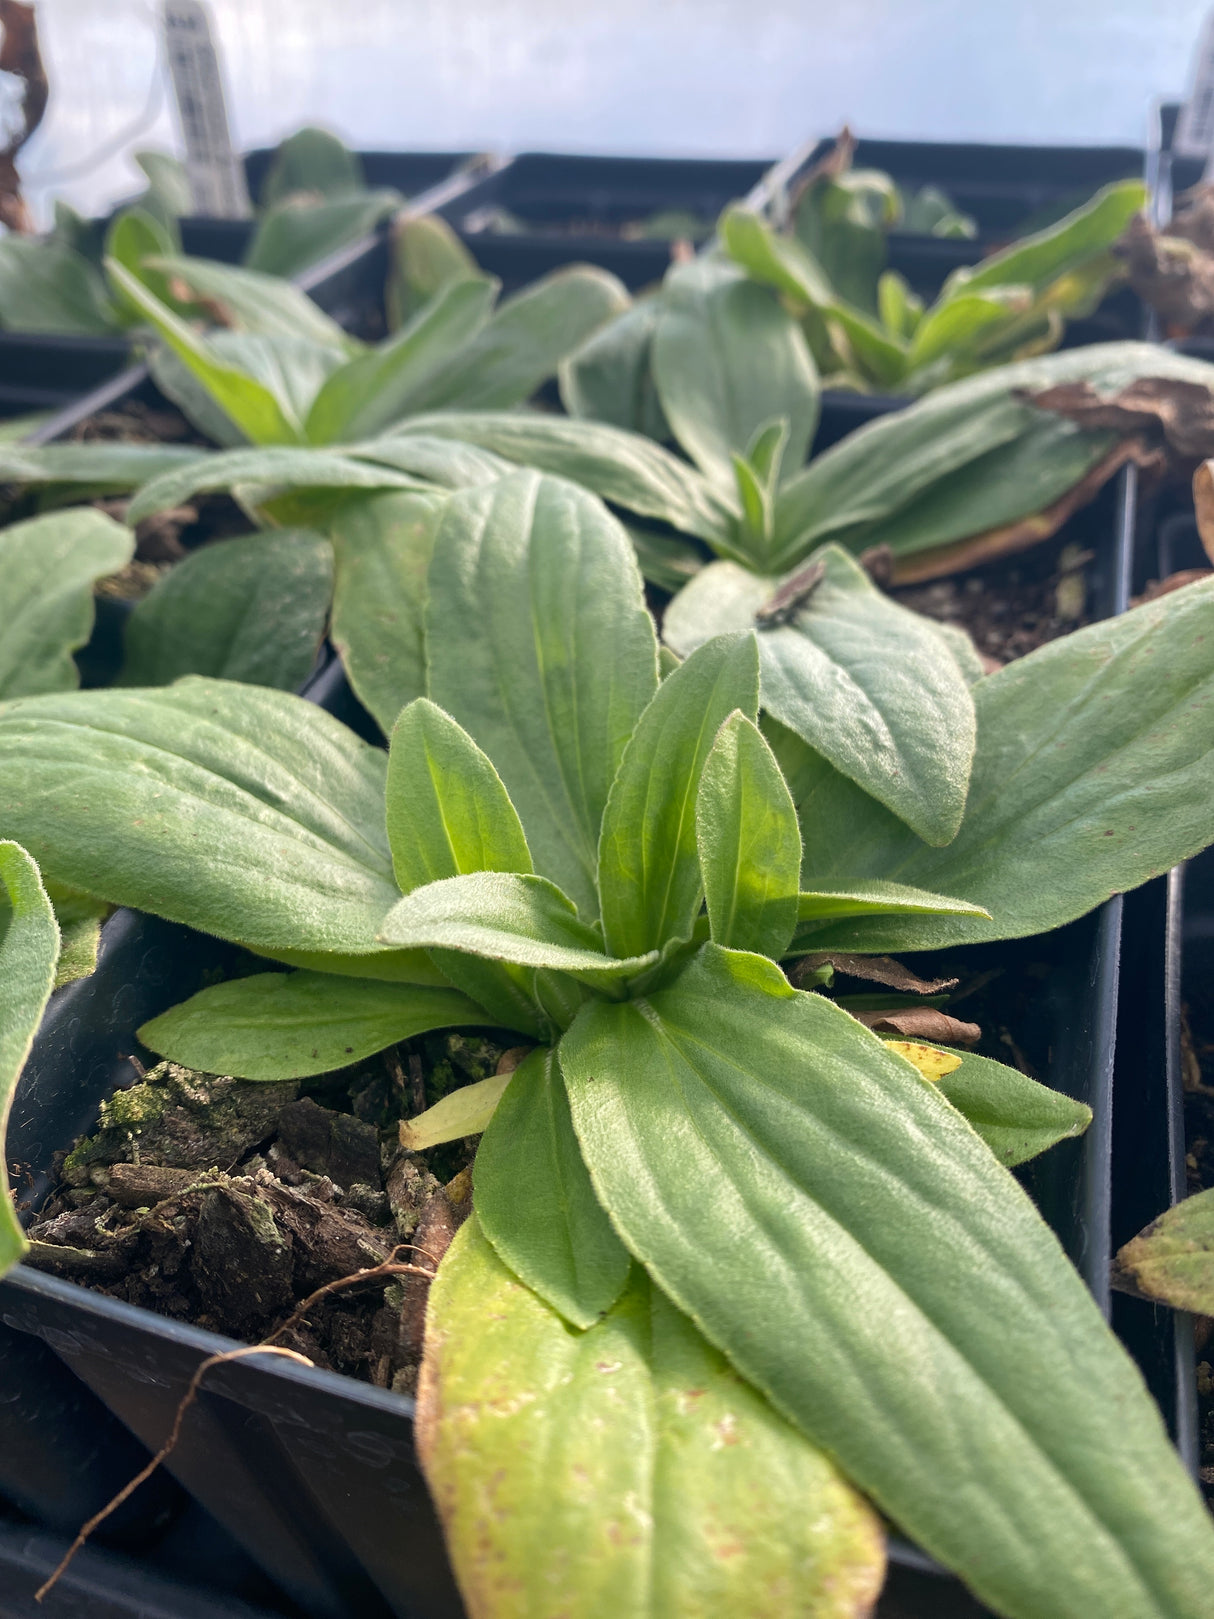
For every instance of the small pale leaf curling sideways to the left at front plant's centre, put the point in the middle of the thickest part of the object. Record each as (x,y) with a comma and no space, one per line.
(522,920)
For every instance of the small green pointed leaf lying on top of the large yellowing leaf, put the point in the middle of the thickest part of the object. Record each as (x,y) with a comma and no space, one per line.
(537,1204)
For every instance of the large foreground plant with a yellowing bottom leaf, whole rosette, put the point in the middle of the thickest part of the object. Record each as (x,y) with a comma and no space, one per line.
(611,865)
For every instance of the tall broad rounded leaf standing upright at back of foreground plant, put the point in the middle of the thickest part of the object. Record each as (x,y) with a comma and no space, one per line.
(541,648)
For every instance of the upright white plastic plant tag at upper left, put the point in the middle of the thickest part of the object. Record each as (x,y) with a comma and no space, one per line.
(216,176)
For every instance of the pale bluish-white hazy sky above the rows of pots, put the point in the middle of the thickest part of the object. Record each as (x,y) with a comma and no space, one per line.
(747,79)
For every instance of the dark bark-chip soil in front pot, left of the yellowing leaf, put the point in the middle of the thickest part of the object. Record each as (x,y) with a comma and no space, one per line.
(226,1204)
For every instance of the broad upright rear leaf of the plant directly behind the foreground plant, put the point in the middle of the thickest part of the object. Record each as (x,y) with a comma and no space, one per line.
(726,360)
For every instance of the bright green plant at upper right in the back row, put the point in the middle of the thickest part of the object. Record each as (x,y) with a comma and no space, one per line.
(870,331)
